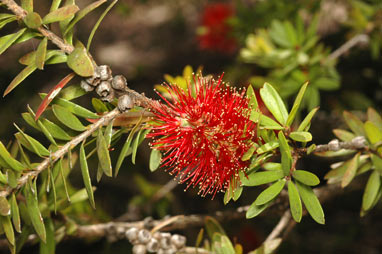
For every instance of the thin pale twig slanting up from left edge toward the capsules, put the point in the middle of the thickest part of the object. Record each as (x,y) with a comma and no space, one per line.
(62,151)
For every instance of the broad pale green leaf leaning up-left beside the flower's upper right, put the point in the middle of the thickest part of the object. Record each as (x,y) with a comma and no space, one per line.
(274,103)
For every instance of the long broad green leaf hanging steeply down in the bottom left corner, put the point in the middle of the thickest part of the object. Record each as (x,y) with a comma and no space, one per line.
(34,211)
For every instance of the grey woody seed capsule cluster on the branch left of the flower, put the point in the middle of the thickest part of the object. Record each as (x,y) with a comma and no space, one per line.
(108,87)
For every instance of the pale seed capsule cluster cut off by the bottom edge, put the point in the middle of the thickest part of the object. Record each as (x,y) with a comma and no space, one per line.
(159,242)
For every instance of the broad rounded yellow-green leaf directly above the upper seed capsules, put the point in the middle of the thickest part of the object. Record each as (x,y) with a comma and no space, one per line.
(80,62)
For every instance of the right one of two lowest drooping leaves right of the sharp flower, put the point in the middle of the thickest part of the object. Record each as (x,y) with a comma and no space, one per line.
(311,203)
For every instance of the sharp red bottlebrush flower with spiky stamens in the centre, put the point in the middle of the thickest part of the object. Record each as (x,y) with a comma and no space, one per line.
(203,133)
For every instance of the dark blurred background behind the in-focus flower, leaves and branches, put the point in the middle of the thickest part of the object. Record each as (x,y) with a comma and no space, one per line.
(252,41)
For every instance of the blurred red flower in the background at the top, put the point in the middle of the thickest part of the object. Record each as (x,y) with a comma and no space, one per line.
(215,32)
